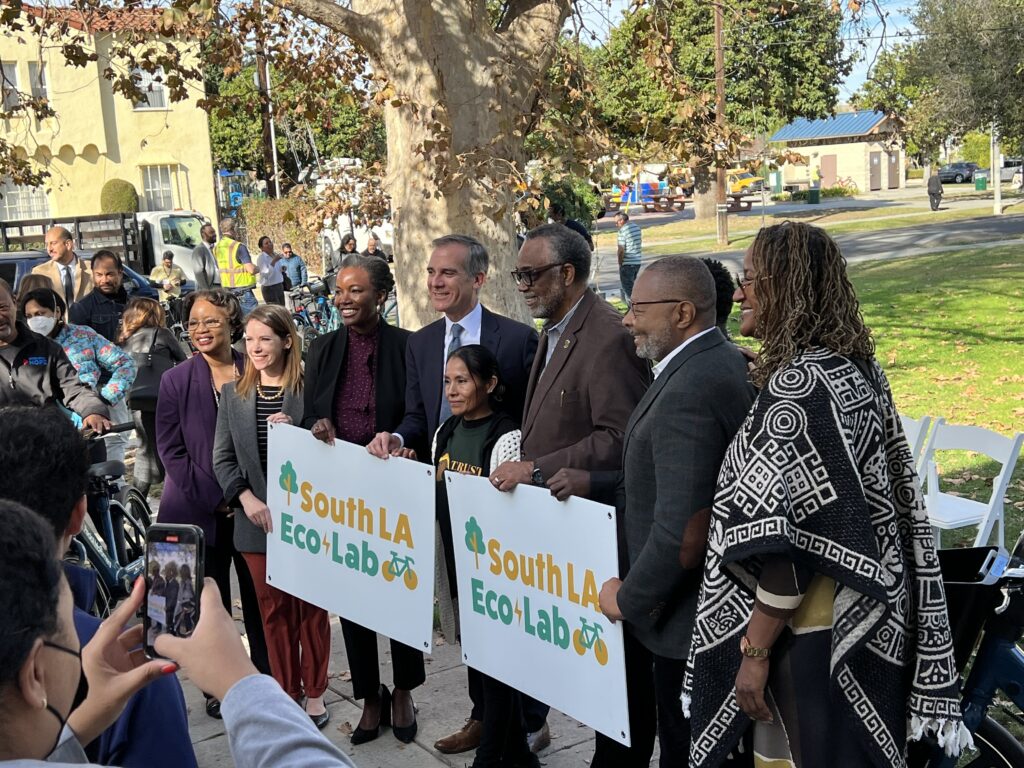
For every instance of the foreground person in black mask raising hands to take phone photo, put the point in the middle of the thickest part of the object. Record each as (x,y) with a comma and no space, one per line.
(58,696)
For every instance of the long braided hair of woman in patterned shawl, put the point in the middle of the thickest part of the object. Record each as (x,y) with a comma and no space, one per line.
(805,298)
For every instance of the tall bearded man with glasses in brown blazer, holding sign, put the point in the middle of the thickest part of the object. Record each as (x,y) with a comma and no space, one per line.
(584,385)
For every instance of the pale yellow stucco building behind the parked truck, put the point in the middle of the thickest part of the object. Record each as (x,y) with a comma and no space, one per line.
(162,148)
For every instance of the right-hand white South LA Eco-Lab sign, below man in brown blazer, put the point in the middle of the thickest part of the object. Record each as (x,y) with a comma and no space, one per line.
(530,570)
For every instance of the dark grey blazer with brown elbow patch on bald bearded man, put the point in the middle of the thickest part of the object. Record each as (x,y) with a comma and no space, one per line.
(675,443)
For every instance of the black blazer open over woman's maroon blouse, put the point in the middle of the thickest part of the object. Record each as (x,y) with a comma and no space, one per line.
(324,366)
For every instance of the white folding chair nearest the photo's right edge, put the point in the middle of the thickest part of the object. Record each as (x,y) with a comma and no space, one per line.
(947,511)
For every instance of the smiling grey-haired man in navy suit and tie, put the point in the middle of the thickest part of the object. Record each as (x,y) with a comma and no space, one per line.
(456,273)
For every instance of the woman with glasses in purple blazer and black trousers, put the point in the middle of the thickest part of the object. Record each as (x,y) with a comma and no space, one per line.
(187,422)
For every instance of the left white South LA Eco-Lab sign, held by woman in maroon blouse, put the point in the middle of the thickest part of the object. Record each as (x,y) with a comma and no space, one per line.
(353,534)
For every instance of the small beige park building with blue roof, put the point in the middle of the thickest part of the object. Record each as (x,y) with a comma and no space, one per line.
(856,146)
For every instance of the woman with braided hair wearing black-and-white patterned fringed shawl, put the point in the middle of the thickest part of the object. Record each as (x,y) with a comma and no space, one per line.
(822,615)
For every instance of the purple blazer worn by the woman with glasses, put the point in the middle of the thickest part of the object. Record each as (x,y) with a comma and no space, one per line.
(187,422)
